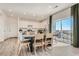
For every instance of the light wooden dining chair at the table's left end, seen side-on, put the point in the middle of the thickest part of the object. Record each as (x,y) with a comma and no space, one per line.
(22,44)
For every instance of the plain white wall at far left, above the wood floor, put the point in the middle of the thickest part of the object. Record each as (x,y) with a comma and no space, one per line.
(8,26)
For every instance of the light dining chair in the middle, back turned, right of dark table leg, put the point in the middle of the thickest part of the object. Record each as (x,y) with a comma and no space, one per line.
(38,42)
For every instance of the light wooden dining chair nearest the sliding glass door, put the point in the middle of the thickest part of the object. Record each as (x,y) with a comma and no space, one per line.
(48,40)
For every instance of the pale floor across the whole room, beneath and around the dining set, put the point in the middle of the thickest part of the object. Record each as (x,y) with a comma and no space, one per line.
(9,48)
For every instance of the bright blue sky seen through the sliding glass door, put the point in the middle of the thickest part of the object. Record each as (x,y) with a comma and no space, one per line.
(66,24)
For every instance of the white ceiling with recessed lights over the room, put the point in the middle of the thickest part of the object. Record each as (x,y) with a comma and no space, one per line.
(32,11)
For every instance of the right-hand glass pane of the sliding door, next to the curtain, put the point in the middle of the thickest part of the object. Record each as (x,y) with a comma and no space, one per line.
(66,30)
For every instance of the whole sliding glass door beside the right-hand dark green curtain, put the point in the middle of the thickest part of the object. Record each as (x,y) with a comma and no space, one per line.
(63,30)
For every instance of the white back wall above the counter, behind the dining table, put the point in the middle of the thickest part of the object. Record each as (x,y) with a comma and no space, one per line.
(43,24)
